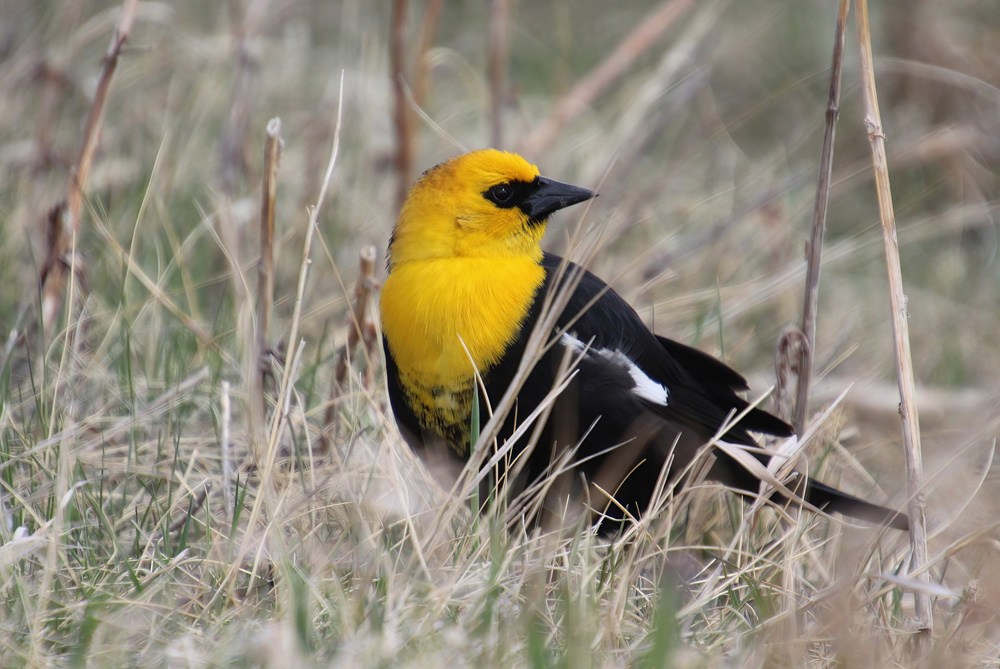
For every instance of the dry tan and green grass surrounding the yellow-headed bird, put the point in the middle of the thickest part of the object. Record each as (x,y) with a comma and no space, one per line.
(152,515)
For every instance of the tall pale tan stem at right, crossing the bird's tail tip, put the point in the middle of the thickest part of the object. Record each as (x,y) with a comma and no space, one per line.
(900,333)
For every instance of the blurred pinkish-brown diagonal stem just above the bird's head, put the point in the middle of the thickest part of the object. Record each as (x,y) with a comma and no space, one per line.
(585,91)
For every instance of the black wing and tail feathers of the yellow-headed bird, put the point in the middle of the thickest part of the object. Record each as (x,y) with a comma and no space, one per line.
(701,396)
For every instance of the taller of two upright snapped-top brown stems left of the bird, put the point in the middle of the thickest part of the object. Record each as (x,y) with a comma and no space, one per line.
(265,269)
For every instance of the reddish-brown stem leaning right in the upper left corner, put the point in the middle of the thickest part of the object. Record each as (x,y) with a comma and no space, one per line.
(66,221)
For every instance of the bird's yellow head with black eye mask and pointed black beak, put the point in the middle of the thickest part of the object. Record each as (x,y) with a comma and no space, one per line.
(482,204)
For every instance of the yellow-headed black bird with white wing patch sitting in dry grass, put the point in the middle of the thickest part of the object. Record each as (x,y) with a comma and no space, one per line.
(467,282)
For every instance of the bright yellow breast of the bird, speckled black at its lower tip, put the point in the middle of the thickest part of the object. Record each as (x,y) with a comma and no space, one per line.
(431,307)
